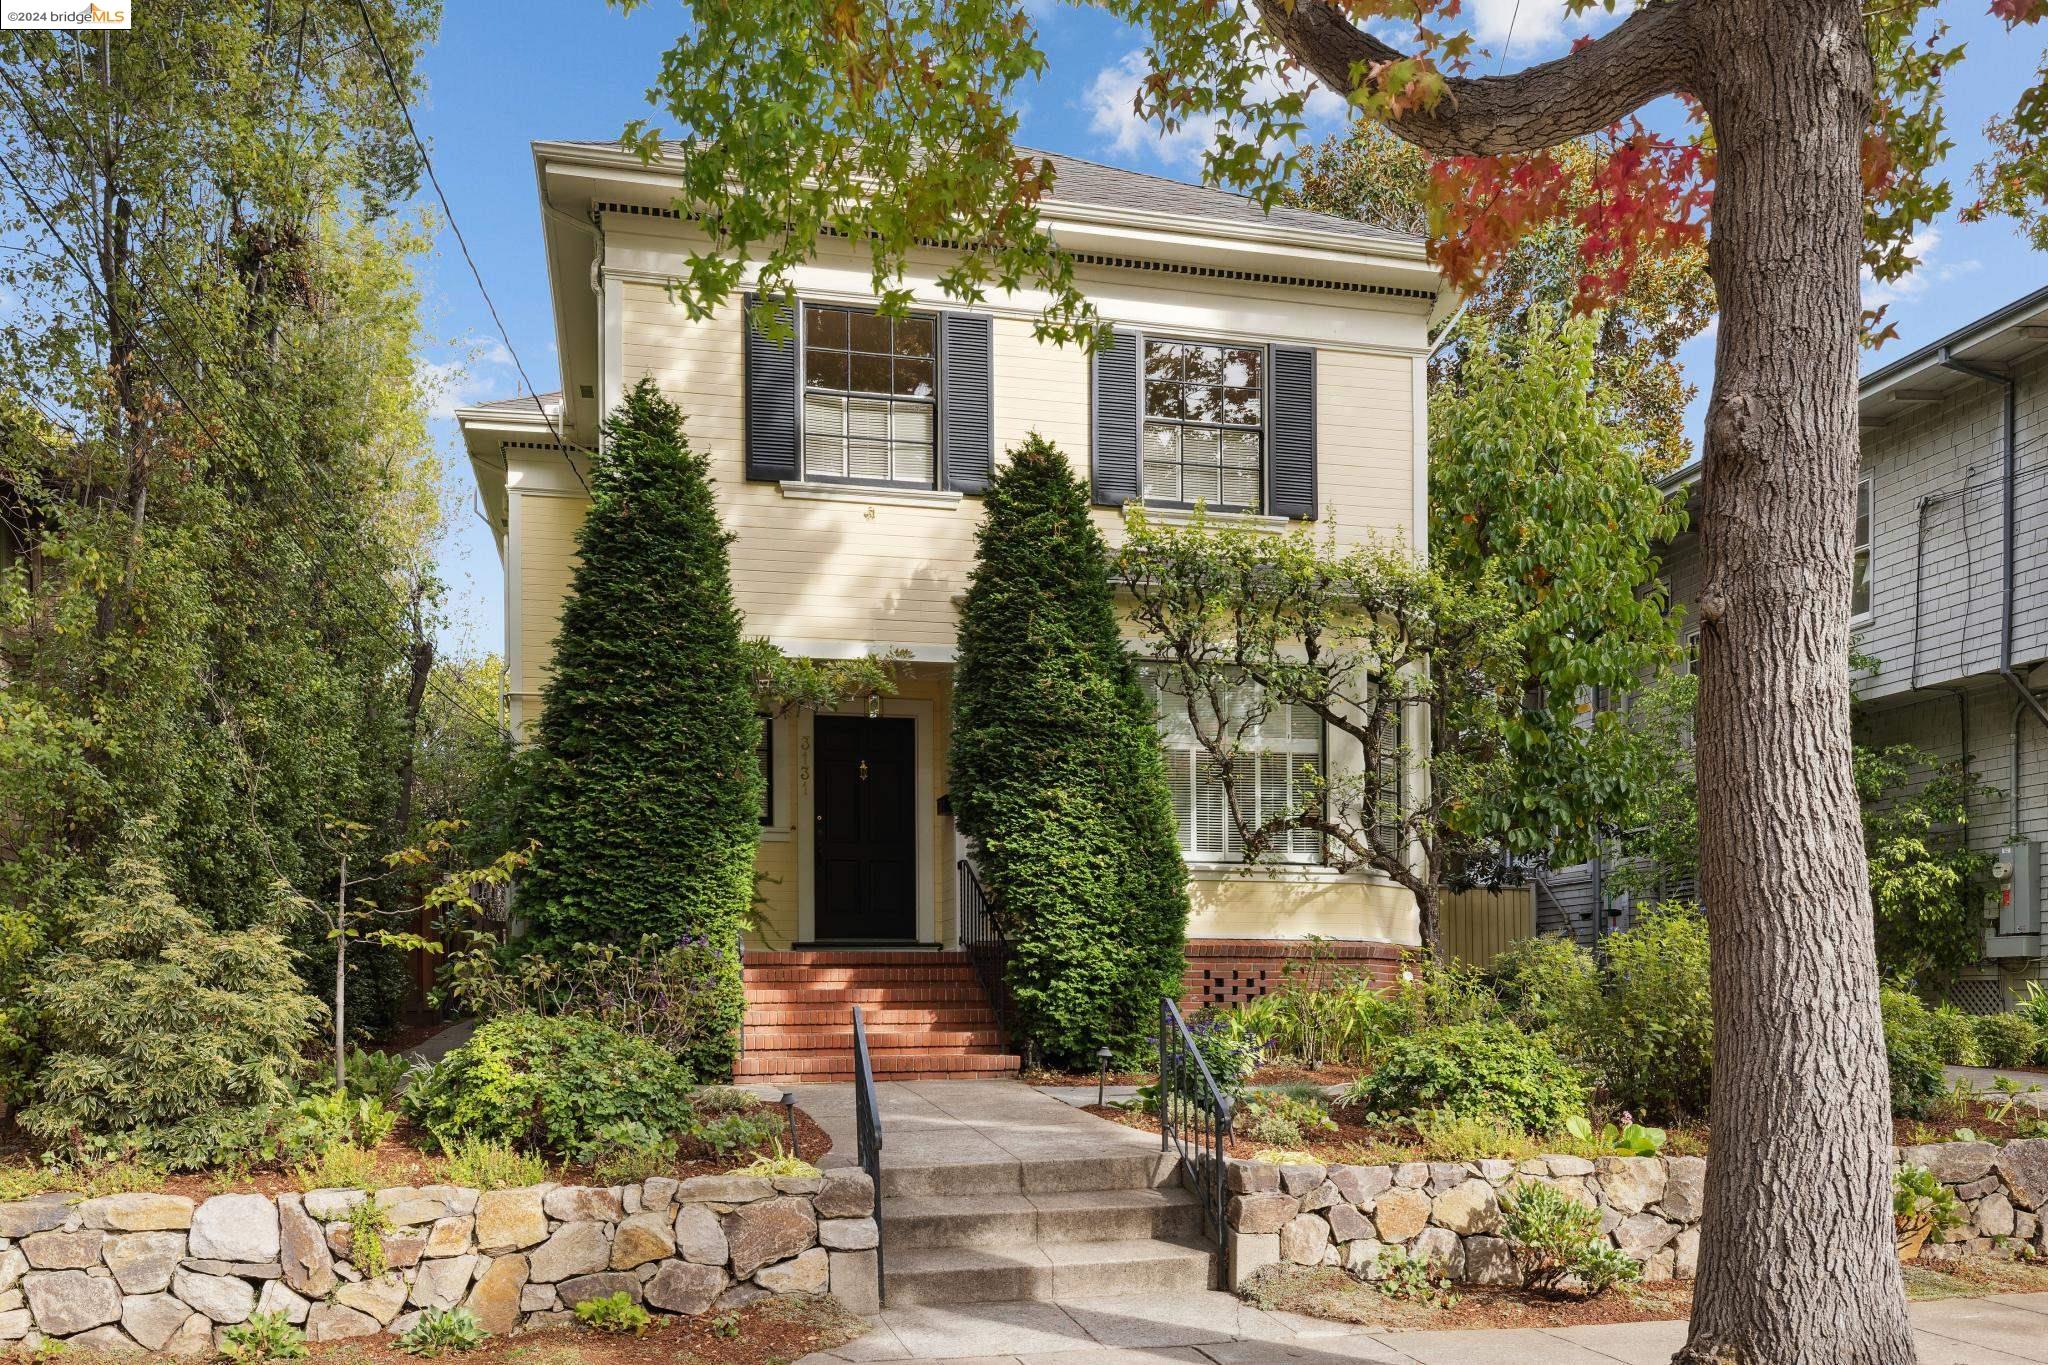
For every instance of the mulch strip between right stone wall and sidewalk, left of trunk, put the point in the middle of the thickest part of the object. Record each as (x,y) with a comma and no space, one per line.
(1338,1296)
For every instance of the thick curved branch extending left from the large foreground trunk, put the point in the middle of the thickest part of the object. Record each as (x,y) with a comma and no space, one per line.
(1646,56)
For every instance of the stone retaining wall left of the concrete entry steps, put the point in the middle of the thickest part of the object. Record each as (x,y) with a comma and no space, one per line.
(169,1274)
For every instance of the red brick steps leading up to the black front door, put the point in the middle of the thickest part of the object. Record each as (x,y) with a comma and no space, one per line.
(927,1014)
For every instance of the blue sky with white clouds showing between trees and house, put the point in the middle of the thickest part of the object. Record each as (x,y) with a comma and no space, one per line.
(511,73)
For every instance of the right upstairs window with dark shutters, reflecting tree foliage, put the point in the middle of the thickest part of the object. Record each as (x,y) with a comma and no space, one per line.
(1205,425)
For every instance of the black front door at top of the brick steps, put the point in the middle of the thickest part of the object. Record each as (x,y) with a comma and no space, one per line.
(867,832)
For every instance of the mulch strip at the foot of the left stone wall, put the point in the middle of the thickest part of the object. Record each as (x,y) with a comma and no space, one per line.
(765,1333)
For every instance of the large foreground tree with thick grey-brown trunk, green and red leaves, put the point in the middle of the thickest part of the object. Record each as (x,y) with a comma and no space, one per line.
(1811,157)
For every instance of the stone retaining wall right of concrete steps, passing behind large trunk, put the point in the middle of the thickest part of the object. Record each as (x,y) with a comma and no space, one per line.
(1650,1206)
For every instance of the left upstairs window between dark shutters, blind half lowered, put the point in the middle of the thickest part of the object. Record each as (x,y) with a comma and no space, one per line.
(869,396)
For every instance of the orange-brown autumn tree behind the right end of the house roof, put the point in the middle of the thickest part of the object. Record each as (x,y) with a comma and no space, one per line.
(1371,175)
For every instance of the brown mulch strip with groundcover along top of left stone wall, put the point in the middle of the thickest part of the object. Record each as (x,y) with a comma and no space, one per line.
(398,1161)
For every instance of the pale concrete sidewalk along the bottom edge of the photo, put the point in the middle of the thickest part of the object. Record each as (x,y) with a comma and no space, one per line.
(1215,1329)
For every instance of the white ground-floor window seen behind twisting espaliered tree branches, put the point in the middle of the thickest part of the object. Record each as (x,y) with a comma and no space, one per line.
(1279,762)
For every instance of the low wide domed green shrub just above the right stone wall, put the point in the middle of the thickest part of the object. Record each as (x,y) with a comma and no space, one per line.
(1476,1069)
